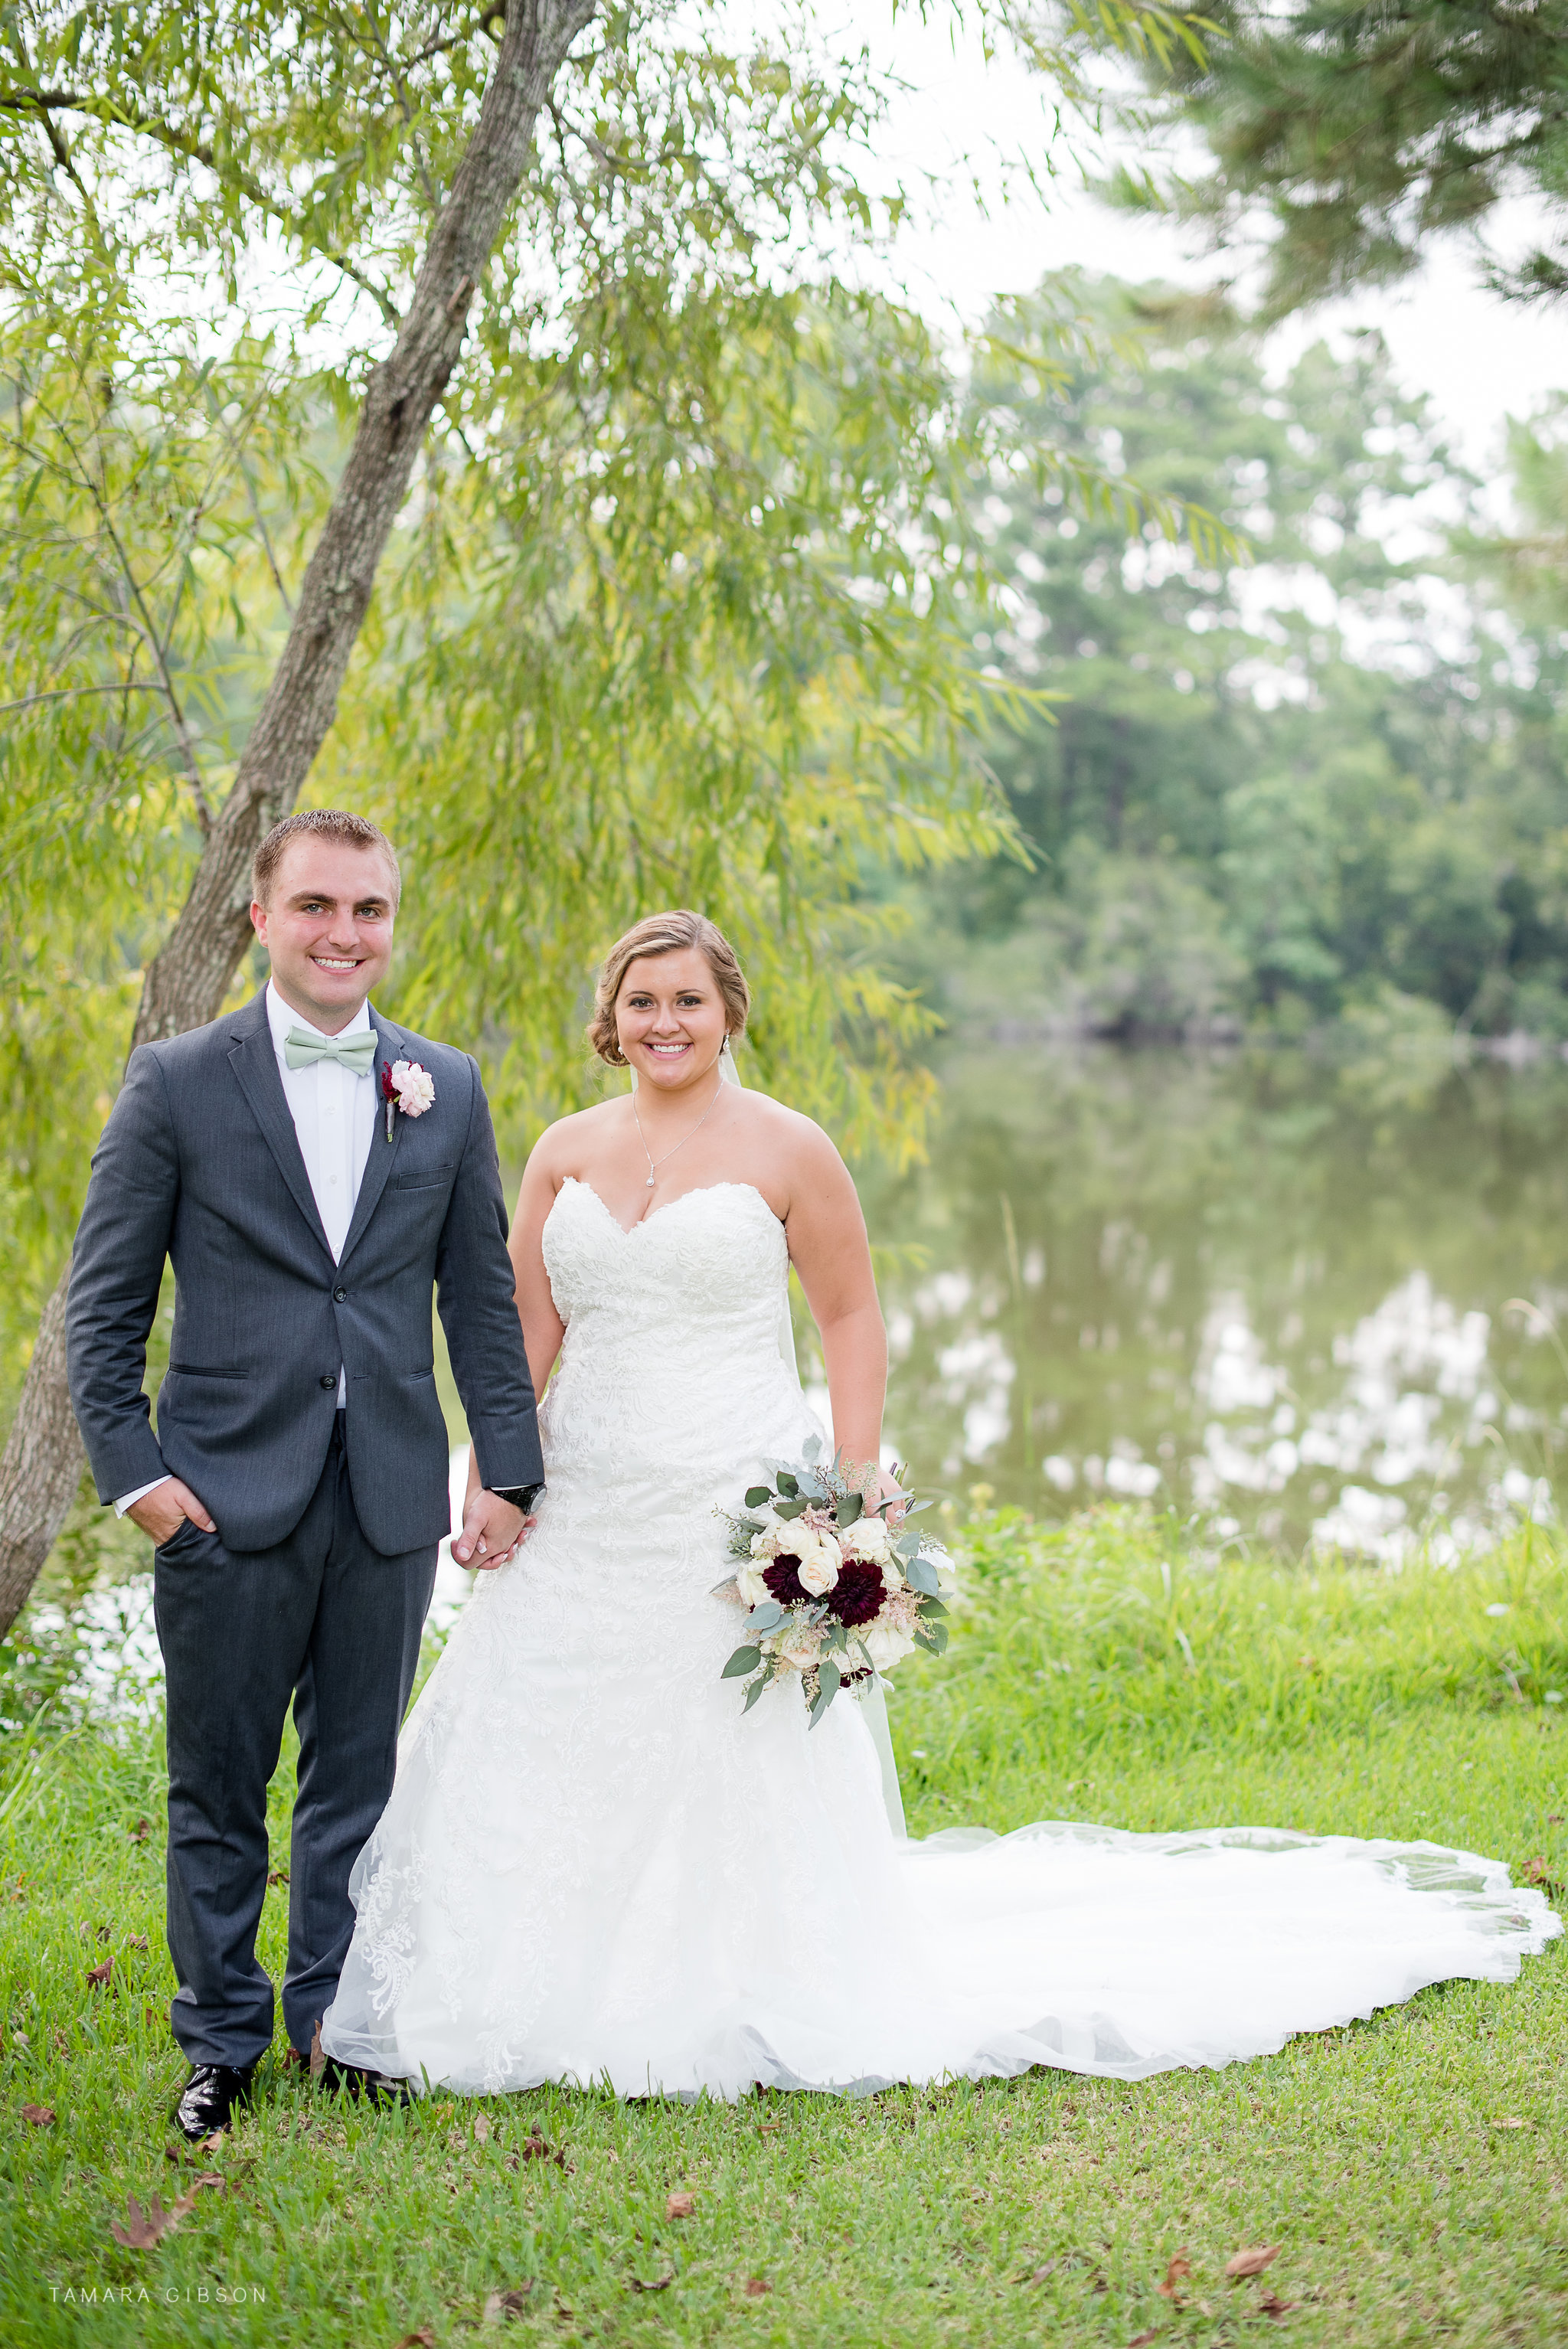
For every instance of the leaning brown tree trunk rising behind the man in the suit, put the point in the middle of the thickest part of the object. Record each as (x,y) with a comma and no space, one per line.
(191,976)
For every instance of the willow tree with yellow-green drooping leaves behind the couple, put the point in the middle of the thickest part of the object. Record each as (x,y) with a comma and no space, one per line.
(680,588)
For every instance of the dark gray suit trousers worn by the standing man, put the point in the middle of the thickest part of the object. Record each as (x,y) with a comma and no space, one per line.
(332,1624)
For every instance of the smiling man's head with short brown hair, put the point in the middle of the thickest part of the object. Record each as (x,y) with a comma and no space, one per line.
(327,927)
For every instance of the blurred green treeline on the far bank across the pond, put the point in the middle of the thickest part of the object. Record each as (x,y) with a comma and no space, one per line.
(1330,786)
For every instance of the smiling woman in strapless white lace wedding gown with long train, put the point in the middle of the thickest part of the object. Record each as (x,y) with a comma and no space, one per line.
(593,1869)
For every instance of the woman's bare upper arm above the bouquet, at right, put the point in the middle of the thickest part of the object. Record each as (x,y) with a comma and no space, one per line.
(827,1246)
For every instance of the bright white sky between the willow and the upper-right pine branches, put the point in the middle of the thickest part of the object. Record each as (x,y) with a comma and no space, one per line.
(1475,356)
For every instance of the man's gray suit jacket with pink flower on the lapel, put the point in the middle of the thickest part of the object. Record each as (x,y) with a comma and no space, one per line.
(201,1164)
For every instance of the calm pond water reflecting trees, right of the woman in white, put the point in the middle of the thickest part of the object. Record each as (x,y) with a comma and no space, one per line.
(1306,1303)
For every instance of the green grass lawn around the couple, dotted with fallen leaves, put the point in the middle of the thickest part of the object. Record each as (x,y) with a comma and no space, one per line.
(1410,2169)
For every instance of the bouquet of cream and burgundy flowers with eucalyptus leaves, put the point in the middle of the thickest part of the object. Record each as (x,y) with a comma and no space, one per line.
(834,1594)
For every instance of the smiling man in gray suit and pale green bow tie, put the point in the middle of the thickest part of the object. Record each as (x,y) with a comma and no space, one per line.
(311,1194)
